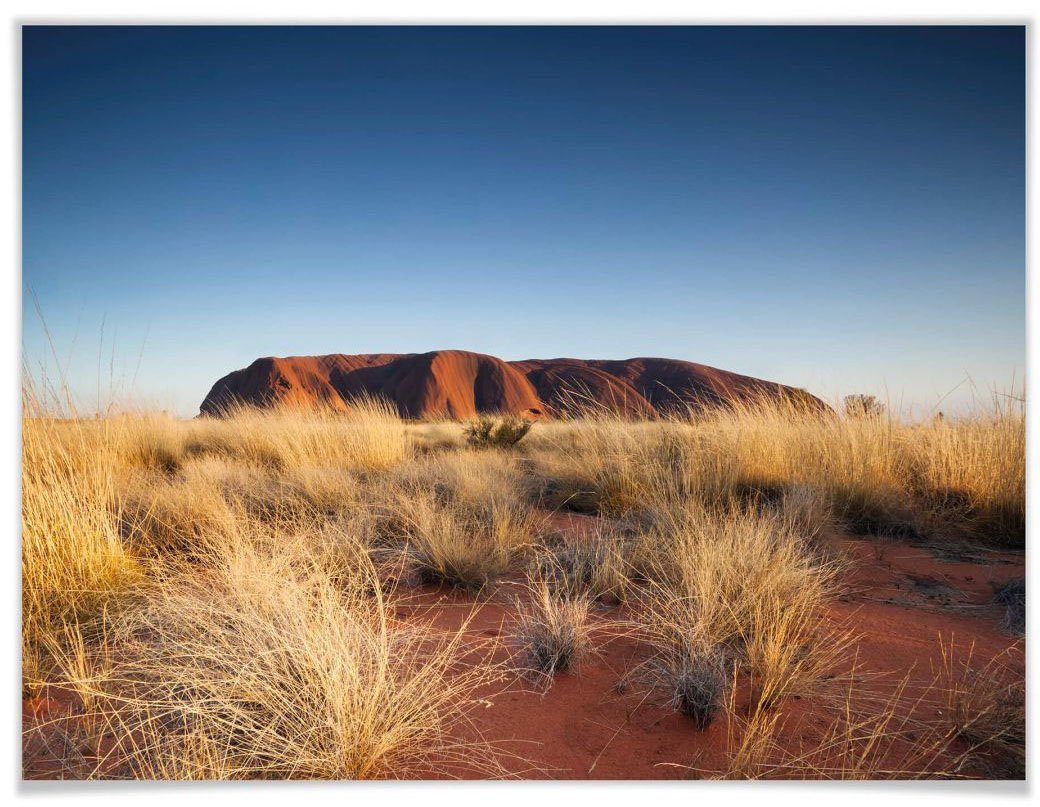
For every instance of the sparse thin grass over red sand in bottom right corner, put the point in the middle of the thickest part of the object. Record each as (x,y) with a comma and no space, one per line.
(968,722)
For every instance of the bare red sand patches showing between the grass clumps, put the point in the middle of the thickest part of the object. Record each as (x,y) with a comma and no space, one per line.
(583,727)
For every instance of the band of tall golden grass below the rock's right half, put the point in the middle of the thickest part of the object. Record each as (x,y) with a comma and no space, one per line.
(881,476)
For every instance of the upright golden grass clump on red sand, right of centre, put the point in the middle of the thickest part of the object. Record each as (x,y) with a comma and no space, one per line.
(741,585)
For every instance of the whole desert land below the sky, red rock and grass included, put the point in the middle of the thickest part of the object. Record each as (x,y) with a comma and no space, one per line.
(664,571)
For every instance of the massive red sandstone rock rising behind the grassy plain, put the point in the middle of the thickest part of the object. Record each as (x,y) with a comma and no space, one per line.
(458,384)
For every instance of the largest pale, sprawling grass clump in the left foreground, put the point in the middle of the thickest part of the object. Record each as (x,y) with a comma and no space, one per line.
(268,661)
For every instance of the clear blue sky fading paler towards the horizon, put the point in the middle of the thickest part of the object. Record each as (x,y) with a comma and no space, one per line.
(836,209)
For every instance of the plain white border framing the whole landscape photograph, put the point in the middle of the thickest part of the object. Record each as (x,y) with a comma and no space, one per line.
(448,12)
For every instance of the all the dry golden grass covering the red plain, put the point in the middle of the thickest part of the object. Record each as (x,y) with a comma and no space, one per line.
(213,593)
